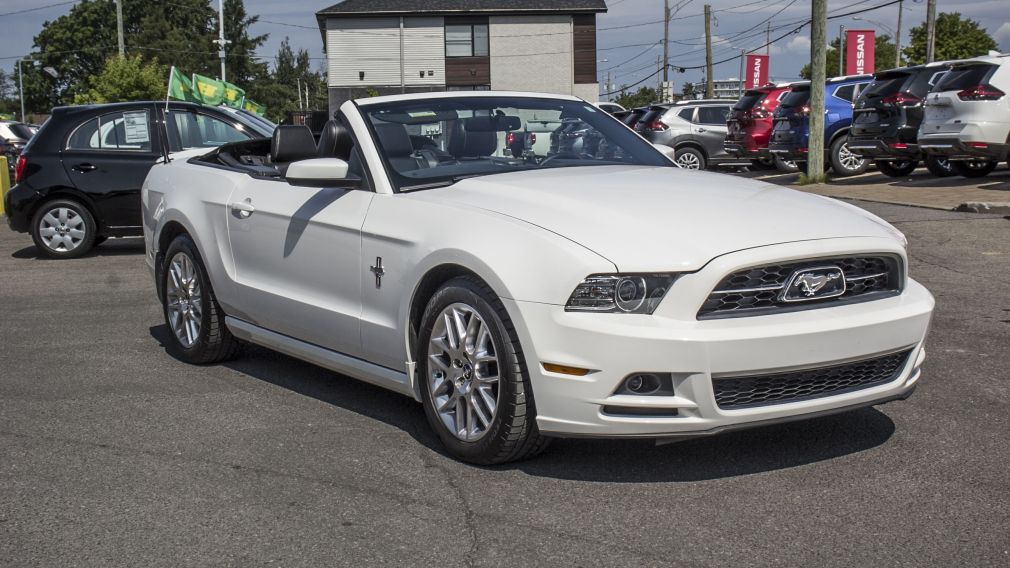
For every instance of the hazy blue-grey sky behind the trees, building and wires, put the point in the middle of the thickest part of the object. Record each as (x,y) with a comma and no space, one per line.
(629,35)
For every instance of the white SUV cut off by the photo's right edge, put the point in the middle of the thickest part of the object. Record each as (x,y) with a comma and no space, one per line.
(968,117)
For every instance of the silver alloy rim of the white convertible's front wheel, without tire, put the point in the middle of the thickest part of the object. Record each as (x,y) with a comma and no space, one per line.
(464,372)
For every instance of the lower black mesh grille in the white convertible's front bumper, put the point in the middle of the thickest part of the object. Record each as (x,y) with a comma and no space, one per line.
(745,393)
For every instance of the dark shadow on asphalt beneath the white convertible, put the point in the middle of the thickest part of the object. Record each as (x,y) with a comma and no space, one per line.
(630,461)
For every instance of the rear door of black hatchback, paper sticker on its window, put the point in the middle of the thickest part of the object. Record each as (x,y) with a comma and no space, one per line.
(109,156)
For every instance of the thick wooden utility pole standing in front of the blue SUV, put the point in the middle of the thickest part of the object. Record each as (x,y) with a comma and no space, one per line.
(819,40)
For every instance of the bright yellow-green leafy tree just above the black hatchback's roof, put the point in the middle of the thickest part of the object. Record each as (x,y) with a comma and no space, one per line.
(126,79)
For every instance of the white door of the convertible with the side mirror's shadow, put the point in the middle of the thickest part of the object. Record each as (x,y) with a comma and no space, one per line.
(296,253)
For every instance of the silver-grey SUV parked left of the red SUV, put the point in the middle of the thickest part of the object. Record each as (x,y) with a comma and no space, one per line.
(696,130)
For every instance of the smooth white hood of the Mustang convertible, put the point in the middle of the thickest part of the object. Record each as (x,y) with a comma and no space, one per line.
(645,219)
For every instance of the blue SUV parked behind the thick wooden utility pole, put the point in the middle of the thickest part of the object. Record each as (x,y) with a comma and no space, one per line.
(792,124)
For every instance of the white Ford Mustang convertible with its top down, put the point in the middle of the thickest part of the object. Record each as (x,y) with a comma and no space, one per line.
(527,267)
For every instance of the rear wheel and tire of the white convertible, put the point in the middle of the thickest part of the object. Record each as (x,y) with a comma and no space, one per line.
(196,323)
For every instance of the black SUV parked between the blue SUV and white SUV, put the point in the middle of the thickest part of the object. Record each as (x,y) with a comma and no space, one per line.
(887,117)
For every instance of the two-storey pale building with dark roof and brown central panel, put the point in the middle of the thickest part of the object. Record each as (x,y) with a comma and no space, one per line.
(387,47)
